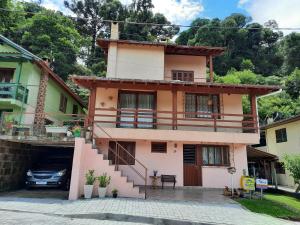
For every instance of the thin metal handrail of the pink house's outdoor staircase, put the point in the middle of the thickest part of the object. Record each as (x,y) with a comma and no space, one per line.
(126,162)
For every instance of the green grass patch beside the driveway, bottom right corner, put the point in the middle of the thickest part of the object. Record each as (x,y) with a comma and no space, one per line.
(274,205)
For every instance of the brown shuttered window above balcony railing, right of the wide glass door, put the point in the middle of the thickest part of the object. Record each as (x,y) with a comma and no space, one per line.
(202,104)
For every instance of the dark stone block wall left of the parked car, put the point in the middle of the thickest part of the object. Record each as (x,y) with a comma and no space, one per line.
(15,159)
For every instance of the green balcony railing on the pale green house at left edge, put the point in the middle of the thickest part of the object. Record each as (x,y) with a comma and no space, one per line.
(13,91)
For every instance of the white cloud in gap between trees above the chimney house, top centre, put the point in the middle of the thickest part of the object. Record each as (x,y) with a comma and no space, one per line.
(176,11)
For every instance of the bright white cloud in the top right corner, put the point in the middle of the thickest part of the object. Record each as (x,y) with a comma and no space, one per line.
(286,13)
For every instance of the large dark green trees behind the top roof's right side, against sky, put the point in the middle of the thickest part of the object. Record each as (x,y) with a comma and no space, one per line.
(259,45)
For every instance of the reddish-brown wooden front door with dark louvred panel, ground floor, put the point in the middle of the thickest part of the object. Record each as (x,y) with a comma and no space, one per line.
(192,161)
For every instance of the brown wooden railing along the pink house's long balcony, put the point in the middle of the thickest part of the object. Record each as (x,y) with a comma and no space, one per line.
(167,120)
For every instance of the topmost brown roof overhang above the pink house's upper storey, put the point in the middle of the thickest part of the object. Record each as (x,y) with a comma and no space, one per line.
(170,49)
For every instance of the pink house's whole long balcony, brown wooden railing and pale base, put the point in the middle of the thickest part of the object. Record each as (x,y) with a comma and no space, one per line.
(181,126)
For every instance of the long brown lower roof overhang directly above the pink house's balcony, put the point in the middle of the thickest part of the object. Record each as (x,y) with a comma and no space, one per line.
(91,82)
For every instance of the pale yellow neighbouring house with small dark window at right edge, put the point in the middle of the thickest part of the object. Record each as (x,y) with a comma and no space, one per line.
(283,138)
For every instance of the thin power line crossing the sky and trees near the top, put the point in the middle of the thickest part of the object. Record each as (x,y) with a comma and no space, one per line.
(157,24)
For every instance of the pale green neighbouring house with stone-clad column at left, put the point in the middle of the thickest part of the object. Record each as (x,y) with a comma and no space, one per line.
(29,88)
